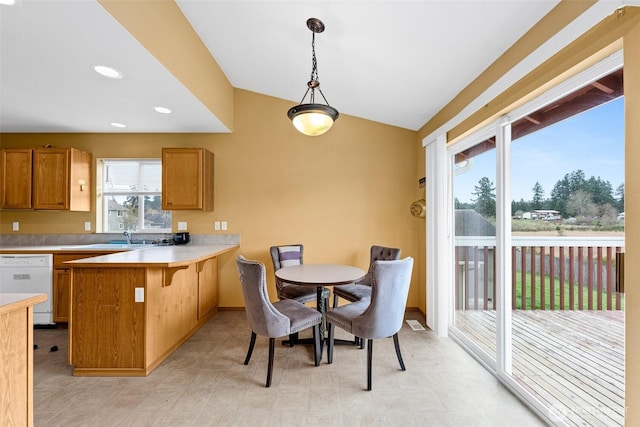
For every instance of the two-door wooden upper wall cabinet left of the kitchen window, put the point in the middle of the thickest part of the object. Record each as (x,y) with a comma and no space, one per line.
(46,178)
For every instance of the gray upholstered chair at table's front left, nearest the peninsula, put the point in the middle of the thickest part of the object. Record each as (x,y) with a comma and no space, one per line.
(273,320)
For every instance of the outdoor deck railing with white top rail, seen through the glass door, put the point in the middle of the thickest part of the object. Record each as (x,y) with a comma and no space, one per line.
(550,273)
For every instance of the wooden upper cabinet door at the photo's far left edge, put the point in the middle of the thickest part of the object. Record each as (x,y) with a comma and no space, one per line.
(15,189)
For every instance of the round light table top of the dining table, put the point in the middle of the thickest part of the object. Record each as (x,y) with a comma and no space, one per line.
(320,274)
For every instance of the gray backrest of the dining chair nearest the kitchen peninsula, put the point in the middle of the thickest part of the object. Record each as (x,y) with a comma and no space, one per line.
(263,317)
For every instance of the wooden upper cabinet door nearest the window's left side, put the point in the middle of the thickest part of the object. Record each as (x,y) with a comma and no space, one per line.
(51,178)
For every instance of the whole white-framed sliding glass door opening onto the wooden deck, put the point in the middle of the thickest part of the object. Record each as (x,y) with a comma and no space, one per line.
(537,207)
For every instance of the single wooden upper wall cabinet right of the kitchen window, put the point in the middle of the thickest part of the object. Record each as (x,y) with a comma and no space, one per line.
(187,179)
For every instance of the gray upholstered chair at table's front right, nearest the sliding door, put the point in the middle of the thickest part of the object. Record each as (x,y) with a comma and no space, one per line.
(382,316)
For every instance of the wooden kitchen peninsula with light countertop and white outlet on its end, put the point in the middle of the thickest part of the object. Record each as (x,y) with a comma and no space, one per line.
(131,310)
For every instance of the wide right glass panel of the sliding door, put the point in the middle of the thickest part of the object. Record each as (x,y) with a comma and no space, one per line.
(567,186)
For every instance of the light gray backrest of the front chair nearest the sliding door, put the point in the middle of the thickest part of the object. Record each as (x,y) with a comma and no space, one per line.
(389,292)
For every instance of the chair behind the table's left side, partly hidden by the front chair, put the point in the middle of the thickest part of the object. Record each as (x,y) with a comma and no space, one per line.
(287,255)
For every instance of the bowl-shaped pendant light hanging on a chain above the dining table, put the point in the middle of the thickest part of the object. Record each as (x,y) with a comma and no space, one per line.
(313,119)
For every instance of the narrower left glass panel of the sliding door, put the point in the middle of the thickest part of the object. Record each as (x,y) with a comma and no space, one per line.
(475,240)
